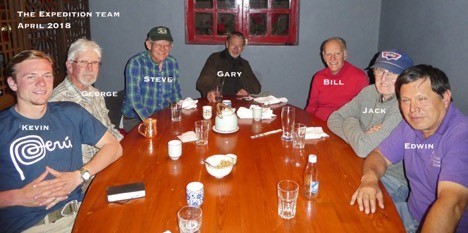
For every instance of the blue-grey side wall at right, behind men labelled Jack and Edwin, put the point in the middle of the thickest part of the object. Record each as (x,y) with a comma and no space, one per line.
(433,32)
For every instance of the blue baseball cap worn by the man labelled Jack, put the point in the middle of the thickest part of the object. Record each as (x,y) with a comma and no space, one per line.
(393,60)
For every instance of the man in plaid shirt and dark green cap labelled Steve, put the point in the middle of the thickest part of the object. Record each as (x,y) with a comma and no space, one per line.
(151,79)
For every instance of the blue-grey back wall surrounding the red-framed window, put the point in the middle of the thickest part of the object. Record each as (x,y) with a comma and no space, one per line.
(283,70)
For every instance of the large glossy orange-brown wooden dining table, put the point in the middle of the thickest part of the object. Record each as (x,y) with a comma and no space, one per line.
(245,200)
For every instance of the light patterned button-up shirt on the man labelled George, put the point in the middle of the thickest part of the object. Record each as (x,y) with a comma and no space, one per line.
(93,103)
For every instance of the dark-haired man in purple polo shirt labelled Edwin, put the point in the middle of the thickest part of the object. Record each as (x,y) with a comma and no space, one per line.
(433,142)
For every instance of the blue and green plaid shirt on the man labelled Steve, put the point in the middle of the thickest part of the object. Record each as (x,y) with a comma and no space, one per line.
(149,90)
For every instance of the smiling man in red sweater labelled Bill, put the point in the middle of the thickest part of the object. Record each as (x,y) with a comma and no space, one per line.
(337,84)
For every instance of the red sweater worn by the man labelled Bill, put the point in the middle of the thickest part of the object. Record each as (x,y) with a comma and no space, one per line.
(330,92)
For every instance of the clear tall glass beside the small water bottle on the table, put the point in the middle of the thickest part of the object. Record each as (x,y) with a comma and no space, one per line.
(288,191)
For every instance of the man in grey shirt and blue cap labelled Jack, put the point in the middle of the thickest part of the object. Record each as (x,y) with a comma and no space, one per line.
(371,116)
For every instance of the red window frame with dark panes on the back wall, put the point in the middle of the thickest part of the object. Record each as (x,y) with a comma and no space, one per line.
(241,14)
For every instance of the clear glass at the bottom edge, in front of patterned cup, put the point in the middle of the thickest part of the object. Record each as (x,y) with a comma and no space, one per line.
(190,219)
